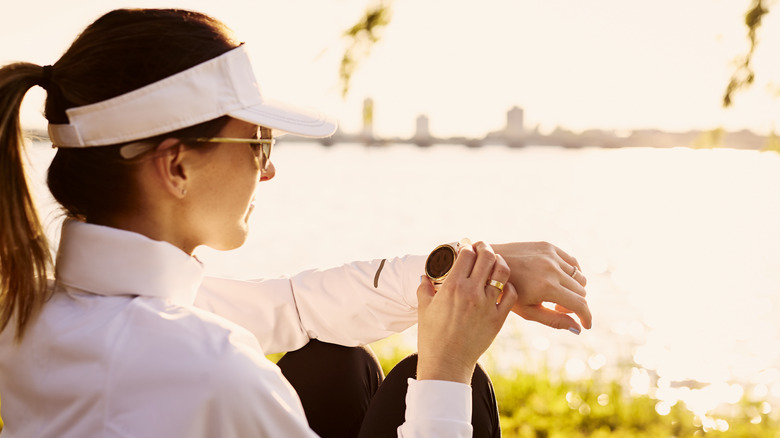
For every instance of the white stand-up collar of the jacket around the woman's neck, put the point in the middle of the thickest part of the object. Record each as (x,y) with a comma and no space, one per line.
(109,261)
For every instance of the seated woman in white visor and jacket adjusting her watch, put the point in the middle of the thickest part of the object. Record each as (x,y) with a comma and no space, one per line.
(162,138)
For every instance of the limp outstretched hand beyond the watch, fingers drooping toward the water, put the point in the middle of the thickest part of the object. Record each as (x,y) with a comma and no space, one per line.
(542,272)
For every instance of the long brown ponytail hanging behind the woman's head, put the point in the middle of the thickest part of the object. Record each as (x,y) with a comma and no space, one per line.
(24,250)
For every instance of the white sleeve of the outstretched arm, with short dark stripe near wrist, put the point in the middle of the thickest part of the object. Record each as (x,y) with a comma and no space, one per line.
(357,303)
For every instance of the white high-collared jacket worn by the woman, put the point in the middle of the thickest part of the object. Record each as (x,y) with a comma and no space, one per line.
(136,343)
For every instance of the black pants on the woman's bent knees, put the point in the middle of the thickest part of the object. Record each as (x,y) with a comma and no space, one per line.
(344,392)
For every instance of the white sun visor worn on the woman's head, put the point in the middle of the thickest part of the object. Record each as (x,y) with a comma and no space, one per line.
(223,86)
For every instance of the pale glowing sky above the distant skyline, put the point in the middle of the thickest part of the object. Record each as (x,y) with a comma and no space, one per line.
(601,64)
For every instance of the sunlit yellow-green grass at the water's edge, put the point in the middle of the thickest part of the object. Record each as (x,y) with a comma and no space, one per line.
(546,405)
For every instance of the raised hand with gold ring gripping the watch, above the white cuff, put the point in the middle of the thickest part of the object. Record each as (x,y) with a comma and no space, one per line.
(459,322)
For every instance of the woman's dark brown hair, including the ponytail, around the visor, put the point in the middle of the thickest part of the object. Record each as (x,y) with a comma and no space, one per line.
(121,51)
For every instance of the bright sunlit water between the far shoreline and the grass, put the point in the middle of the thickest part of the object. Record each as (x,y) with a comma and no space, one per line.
(679,246)
